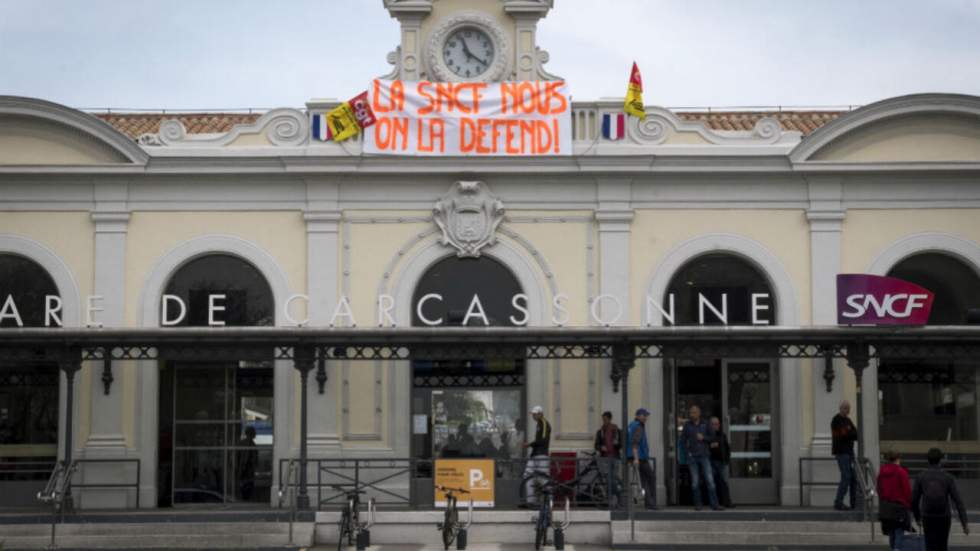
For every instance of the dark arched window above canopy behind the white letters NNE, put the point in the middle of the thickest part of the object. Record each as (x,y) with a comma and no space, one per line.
(720,283)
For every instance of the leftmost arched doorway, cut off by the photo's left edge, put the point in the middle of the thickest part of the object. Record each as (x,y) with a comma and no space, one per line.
(29,392)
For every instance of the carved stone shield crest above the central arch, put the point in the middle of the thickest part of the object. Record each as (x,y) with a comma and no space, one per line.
(468,216)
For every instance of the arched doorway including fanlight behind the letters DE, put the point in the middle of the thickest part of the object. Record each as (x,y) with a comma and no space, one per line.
(216,417)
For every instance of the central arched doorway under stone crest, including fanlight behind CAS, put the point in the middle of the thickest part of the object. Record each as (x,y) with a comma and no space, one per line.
(467,407)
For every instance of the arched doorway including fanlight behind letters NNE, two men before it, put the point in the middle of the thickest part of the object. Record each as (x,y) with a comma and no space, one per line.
(723,289)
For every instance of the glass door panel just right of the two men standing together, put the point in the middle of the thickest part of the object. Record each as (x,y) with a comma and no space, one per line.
(750,420)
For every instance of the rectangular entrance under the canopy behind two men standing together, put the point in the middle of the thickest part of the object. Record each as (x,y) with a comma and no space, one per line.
(741,394)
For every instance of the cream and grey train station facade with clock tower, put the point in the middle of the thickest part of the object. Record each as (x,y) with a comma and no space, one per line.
(224,221)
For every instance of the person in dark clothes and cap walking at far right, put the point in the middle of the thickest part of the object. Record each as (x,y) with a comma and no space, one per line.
(934,488)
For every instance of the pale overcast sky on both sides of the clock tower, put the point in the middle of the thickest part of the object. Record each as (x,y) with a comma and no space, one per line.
(221,54)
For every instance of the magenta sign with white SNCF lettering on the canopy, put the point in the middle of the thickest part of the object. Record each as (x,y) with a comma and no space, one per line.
(864,299)
